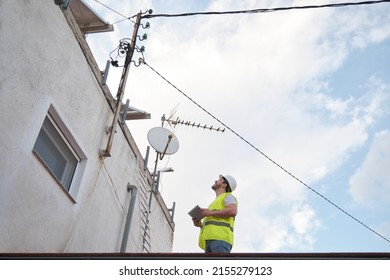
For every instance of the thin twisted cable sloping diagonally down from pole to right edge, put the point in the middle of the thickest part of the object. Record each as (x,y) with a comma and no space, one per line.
(266,156)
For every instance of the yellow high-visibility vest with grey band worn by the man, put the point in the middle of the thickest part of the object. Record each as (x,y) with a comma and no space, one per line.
(214,228)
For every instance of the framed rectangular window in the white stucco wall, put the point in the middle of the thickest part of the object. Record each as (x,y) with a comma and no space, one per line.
(58,151)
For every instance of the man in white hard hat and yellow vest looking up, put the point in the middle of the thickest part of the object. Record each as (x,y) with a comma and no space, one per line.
(216,233)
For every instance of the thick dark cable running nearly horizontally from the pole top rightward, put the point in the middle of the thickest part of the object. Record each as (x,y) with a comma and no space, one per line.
(268,10)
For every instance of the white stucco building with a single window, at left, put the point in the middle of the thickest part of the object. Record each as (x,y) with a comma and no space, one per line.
(57,194)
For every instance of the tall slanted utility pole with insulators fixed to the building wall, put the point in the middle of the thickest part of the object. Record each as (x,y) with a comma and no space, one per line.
(122,85)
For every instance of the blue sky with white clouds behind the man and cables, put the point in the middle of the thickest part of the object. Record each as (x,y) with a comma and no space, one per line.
(309,88)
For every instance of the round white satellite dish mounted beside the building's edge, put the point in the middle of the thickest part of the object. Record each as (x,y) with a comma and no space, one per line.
(163,140)
